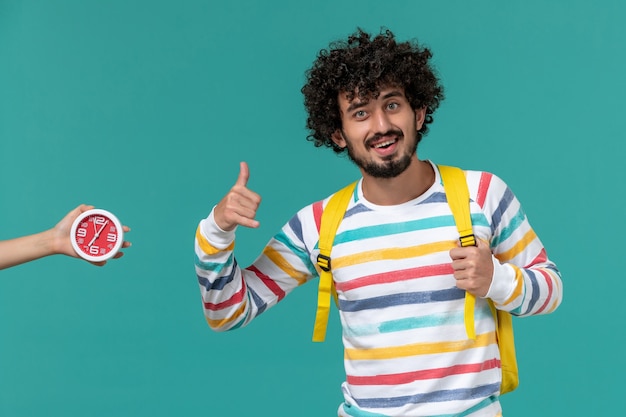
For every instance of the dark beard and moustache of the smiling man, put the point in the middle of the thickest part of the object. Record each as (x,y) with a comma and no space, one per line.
(391,166)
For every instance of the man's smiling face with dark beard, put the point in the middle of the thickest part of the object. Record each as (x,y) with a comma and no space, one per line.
(380,134)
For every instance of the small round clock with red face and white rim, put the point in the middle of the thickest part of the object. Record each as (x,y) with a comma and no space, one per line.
(96,235)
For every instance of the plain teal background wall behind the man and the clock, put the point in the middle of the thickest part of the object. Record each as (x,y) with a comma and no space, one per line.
(146,109)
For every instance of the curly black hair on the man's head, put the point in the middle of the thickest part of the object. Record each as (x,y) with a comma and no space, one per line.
(365,64)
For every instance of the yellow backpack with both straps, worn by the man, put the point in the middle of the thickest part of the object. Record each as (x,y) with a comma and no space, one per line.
(457,194)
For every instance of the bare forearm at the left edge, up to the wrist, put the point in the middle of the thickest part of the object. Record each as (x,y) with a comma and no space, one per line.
(27,248)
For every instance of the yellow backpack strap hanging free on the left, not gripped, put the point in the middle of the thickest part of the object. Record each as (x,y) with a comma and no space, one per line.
(331,217)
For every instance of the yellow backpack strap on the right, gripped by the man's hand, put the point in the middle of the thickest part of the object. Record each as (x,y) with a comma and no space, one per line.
(455,186)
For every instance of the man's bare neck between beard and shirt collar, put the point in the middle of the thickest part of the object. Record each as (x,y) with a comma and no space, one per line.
(413,182)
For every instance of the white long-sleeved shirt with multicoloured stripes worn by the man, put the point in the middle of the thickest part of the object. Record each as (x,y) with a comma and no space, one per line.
(406,351)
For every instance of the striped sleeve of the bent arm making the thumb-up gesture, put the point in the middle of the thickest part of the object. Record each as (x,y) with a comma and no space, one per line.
(232,295)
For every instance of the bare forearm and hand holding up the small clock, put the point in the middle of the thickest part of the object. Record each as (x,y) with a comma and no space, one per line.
(55,241)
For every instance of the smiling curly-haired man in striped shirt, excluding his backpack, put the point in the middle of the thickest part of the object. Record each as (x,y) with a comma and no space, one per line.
(399,273)
